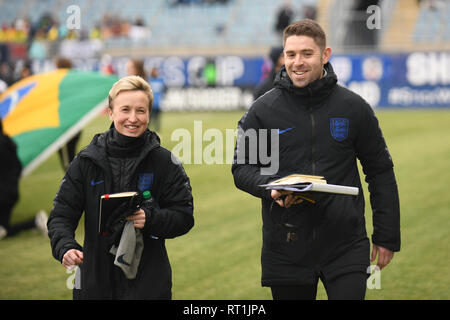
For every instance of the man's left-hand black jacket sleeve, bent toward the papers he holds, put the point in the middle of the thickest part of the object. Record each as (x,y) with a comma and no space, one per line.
(246,167)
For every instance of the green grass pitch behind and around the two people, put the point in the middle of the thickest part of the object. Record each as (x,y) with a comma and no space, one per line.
(220,257)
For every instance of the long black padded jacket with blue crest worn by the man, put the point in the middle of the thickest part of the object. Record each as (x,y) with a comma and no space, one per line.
(322,129)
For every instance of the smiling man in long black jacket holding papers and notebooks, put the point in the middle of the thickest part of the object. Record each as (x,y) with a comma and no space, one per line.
(323,130)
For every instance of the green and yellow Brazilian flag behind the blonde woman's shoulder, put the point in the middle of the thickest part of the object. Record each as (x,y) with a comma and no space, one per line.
(42,112)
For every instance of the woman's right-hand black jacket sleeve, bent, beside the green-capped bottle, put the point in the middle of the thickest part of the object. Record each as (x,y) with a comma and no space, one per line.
(173,215)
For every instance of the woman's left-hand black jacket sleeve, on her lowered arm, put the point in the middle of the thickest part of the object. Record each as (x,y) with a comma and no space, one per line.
(66,212)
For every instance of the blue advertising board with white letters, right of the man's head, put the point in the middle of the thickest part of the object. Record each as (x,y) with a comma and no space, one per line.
(417,79)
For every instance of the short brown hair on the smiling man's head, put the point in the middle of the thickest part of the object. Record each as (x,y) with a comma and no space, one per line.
(306,27)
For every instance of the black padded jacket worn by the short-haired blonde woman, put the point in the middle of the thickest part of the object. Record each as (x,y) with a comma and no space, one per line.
(91,175)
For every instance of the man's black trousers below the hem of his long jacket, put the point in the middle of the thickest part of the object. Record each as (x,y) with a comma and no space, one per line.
(349,286)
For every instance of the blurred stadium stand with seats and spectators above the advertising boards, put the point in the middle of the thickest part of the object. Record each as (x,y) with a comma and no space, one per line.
(212,27)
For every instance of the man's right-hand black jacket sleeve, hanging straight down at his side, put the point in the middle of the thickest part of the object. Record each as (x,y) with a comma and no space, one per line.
(378,167)
